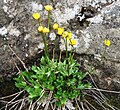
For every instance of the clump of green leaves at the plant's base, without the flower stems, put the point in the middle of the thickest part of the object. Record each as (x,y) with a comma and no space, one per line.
(53,76)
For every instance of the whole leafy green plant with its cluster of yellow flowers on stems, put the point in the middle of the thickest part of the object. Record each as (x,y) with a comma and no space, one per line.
(63,78)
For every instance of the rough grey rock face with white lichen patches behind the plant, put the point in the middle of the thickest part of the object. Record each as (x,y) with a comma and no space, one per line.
(91,22)
